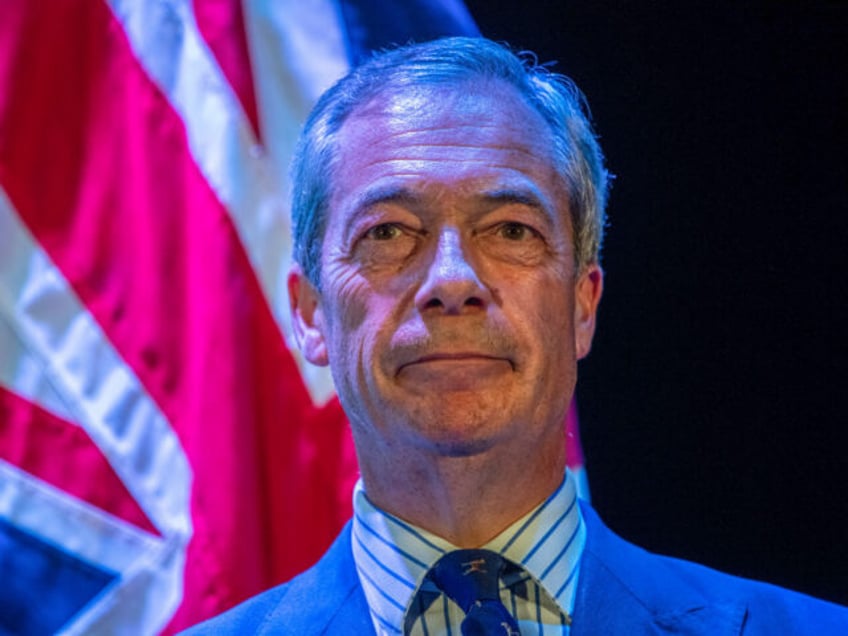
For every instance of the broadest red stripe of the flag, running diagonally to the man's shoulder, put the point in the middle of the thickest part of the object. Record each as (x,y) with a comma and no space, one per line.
(97,163)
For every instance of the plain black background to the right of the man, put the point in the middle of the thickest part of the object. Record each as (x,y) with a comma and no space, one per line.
(713,406)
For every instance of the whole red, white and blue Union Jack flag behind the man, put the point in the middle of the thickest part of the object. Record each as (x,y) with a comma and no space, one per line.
(163,452)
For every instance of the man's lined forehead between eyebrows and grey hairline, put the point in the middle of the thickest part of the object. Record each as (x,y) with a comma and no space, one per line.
(452,138)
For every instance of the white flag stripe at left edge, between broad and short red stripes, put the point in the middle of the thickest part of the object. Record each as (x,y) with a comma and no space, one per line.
(84,379)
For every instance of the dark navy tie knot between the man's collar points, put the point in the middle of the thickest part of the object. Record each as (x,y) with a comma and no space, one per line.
(469,576)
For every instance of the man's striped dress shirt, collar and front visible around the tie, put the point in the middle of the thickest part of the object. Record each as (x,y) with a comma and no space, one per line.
(392,558)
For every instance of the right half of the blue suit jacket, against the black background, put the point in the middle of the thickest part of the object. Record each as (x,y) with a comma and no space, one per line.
(668,595)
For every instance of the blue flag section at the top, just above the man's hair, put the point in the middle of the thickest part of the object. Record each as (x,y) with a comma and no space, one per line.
(371,25)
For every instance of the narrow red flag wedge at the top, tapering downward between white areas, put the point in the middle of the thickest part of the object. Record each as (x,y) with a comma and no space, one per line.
(221,23)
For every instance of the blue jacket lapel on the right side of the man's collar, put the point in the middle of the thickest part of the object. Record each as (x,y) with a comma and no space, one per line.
(625,590)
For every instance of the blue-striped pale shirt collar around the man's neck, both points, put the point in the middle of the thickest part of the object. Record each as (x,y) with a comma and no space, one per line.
(392,556)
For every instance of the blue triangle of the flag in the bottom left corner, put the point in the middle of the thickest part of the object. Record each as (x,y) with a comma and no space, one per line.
(41,586)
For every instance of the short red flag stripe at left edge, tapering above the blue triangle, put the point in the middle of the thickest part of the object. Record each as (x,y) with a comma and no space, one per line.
(63,455)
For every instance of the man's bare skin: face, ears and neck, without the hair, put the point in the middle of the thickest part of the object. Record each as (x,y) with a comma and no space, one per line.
(451,312)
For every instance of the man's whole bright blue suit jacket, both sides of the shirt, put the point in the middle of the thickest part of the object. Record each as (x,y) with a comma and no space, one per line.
(622,590)
